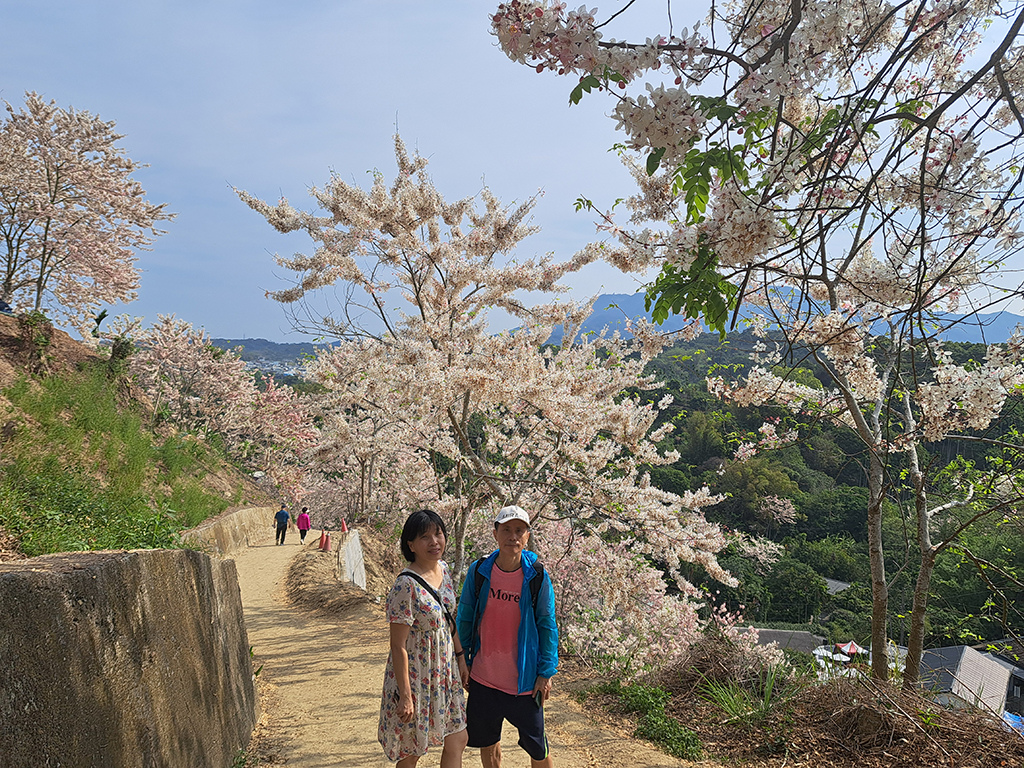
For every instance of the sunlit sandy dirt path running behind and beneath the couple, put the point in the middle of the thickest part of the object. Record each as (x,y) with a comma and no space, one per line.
(321,687)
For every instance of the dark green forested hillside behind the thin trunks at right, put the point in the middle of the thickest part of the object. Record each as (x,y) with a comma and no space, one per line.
(812,498)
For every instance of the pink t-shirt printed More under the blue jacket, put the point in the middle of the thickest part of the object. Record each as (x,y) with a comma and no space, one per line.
(495,665)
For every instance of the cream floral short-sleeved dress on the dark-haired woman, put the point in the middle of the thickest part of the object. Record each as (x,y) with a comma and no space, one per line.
(439,701)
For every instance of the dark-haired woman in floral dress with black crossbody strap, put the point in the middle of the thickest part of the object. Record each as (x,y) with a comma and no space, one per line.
(423,704)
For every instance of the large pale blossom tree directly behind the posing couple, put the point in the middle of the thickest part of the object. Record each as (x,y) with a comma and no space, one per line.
(503,417)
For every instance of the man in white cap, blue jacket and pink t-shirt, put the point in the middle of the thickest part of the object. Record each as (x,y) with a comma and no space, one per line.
(507,628)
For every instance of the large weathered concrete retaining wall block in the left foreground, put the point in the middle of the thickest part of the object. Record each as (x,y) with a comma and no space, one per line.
(123,660)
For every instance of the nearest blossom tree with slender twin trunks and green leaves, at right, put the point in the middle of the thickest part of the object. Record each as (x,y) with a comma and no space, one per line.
(835,173)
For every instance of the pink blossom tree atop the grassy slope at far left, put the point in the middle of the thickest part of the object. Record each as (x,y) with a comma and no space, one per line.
(72,218)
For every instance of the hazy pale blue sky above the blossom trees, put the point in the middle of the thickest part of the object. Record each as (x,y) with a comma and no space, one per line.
(271,97)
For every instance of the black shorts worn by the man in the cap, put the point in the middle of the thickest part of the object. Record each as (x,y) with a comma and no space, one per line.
(487,710)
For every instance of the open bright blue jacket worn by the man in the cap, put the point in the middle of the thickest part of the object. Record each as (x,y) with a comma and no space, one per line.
(538,635)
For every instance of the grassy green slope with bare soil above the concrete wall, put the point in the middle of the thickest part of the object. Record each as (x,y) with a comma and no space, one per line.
(84,464)
